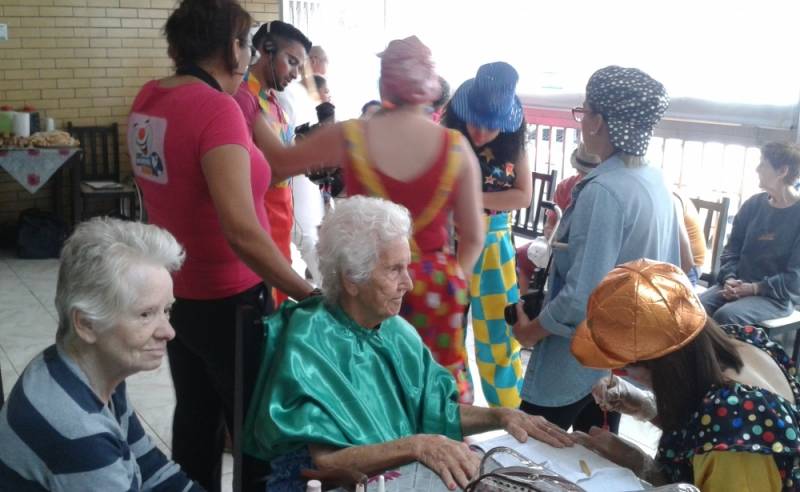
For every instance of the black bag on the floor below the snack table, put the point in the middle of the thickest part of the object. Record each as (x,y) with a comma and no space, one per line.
(40,234)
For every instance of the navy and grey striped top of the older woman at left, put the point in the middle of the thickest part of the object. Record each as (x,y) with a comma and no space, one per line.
(56,435)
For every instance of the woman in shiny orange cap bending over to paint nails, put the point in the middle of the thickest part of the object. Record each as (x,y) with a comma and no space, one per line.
(731,423)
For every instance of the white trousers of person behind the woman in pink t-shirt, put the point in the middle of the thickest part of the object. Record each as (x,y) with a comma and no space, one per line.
(308,212)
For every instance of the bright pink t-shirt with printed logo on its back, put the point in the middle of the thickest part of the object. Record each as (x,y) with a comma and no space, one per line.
(169,131)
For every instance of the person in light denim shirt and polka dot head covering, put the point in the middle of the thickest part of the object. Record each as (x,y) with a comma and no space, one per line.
(620,211)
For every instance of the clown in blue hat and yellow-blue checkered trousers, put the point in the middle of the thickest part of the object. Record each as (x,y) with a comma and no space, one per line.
(488,112)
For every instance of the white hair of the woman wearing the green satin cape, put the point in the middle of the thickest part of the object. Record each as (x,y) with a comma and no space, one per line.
(351,238)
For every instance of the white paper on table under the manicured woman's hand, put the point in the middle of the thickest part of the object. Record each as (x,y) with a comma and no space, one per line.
(605,475)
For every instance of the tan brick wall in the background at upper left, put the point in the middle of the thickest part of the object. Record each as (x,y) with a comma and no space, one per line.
(83,61)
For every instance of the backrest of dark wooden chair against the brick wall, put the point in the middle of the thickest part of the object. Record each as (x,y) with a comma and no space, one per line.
(100,145)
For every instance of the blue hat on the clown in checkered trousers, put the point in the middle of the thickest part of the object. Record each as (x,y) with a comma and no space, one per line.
(489,100)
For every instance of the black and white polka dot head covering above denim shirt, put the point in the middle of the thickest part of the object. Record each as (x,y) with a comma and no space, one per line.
(631,103)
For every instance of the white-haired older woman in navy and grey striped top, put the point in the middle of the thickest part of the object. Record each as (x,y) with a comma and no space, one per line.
(68,424)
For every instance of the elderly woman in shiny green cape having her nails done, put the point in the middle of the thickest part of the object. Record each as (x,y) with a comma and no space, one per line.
(346,383)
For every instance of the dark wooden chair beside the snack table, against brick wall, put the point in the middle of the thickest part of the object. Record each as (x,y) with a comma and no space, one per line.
(99,173)
